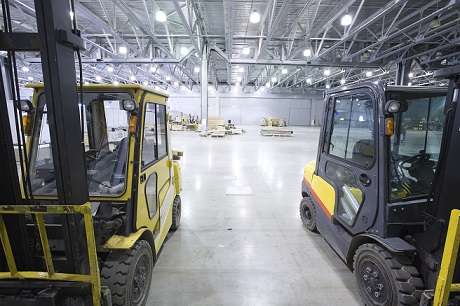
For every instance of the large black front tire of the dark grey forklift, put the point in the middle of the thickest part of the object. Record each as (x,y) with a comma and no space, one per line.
(383,280)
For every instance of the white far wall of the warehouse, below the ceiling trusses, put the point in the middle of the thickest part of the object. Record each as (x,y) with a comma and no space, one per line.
(248,108)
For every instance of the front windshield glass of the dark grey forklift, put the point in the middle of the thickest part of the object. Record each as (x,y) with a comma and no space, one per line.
(415,146)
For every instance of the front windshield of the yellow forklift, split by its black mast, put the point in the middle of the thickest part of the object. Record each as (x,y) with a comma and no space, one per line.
(106,146)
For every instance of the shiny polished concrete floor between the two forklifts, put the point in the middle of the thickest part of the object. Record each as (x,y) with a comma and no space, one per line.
(245,249)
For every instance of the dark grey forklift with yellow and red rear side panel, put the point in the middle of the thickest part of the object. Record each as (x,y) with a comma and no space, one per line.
(384,184)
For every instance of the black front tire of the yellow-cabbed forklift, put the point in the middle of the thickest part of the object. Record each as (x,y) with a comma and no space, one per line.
(128,274)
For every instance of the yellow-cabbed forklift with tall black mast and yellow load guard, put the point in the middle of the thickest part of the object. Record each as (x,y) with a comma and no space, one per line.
(89,186)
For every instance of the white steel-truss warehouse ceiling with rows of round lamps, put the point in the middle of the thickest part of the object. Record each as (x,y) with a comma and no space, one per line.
(269,55)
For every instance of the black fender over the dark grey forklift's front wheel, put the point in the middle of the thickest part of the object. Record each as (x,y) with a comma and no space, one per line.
(394,245)
